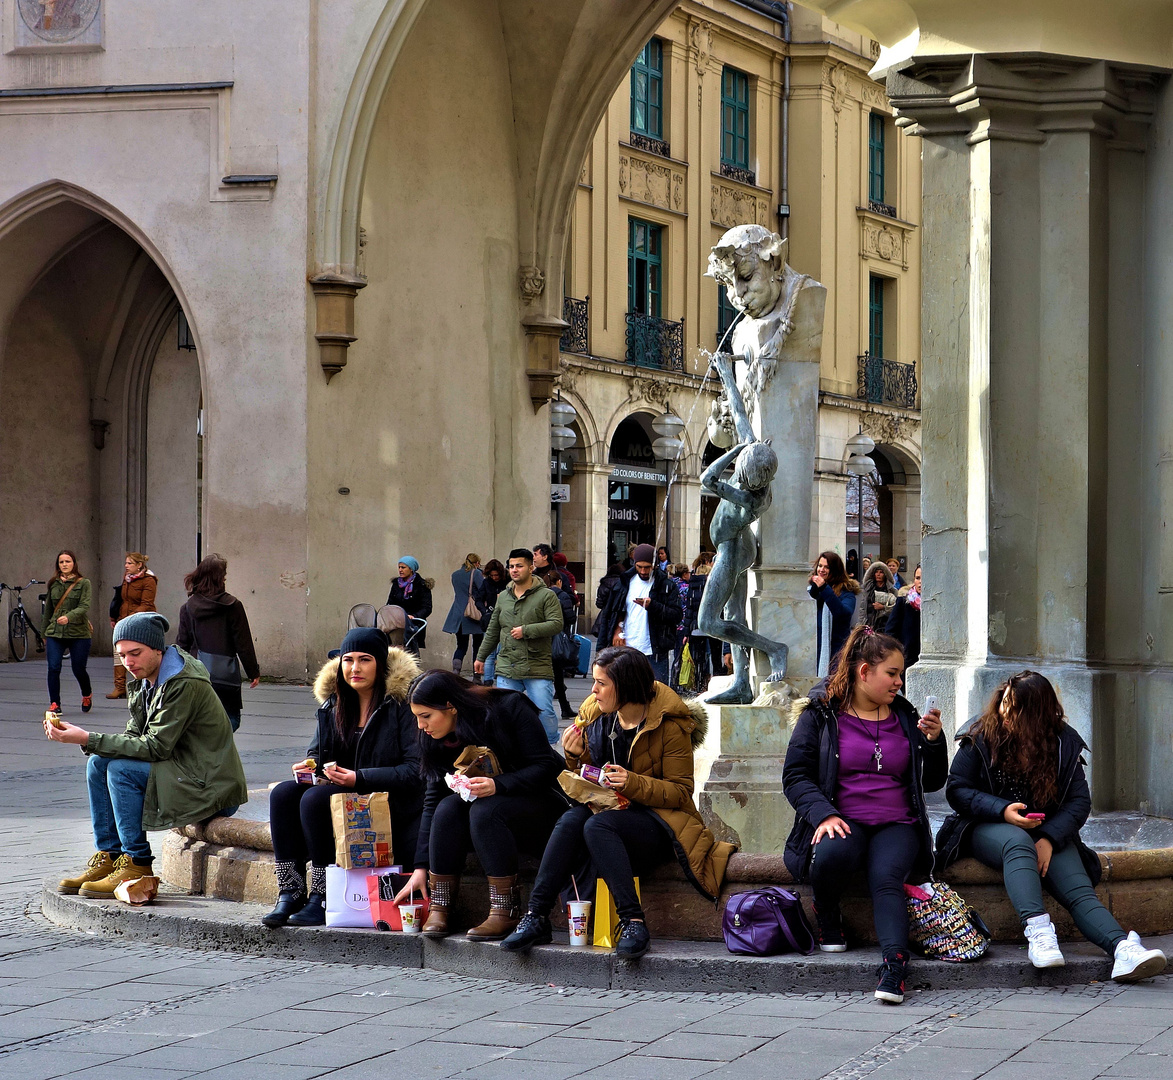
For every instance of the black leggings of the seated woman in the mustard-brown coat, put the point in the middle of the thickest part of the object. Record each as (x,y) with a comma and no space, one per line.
(614,845)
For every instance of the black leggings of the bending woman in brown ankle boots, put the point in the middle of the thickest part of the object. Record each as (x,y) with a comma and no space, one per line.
(496,827)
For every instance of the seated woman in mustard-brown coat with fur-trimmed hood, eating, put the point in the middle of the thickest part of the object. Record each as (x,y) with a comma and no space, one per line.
(642,735)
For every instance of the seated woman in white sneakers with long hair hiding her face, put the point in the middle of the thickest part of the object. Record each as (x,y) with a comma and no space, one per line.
(1021,797)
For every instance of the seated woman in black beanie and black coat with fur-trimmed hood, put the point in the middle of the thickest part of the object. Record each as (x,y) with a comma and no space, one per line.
(365,742)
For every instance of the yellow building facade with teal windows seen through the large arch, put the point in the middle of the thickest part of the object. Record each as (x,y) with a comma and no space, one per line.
(733,114)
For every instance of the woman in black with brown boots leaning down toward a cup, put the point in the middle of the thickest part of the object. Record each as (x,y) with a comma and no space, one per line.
(513,811)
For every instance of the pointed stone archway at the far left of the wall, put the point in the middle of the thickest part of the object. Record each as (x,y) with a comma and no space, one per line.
(86,302)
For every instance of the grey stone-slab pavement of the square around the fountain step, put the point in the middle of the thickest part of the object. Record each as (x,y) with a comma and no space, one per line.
(73,1004)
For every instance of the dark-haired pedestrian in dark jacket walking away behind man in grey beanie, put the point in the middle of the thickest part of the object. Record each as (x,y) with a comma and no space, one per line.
(214,628)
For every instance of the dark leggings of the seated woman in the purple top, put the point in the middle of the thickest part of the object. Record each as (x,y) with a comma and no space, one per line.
(887,853)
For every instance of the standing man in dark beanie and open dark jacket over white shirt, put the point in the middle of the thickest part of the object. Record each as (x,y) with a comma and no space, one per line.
(646,608)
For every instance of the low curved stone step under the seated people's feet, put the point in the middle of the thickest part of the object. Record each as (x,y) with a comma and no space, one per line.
(672,966)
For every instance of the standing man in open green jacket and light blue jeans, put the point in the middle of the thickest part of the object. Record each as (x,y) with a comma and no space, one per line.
(525,621)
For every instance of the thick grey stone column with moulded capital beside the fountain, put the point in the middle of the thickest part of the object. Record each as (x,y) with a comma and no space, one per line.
(1019,219)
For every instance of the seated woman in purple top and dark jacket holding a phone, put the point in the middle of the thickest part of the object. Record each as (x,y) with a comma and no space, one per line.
(859,764)
